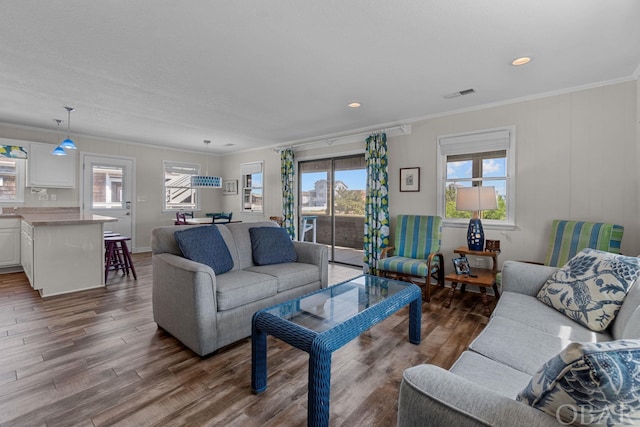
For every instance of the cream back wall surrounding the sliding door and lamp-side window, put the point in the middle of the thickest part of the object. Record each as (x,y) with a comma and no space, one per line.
(577,157)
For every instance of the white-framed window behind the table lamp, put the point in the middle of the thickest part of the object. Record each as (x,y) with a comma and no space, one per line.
(484,158)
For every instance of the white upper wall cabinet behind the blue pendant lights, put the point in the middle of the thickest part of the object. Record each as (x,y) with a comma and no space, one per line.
(46,170)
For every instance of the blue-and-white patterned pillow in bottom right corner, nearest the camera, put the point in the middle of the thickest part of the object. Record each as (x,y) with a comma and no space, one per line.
(589,384)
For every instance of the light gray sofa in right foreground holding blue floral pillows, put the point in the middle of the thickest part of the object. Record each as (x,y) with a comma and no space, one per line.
(522,334)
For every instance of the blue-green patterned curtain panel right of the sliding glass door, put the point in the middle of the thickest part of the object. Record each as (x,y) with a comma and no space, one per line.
(376,220)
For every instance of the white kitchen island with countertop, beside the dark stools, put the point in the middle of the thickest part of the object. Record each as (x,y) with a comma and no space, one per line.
(62,251)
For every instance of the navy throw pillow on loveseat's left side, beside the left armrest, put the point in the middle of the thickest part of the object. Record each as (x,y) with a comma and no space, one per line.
(206,246)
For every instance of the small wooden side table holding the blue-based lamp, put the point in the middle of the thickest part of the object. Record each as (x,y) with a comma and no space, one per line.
(485,278)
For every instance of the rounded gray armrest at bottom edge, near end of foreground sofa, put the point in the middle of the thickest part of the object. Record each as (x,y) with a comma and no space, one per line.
(432,396)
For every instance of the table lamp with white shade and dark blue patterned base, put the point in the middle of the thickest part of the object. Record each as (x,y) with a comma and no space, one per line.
(476,199)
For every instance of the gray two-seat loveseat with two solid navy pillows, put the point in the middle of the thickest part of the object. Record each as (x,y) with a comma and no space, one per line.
(206,311)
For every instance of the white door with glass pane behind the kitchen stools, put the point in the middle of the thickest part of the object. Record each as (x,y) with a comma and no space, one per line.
(107,189)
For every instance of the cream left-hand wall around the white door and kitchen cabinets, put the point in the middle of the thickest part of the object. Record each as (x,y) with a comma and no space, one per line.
(148,206)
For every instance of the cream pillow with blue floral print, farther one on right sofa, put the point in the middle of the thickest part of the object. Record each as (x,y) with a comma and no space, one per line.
(591,288)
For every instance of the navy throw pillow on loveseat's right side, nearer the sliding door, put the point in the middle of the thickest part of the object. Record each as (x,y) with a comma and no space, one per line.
(271,245)
